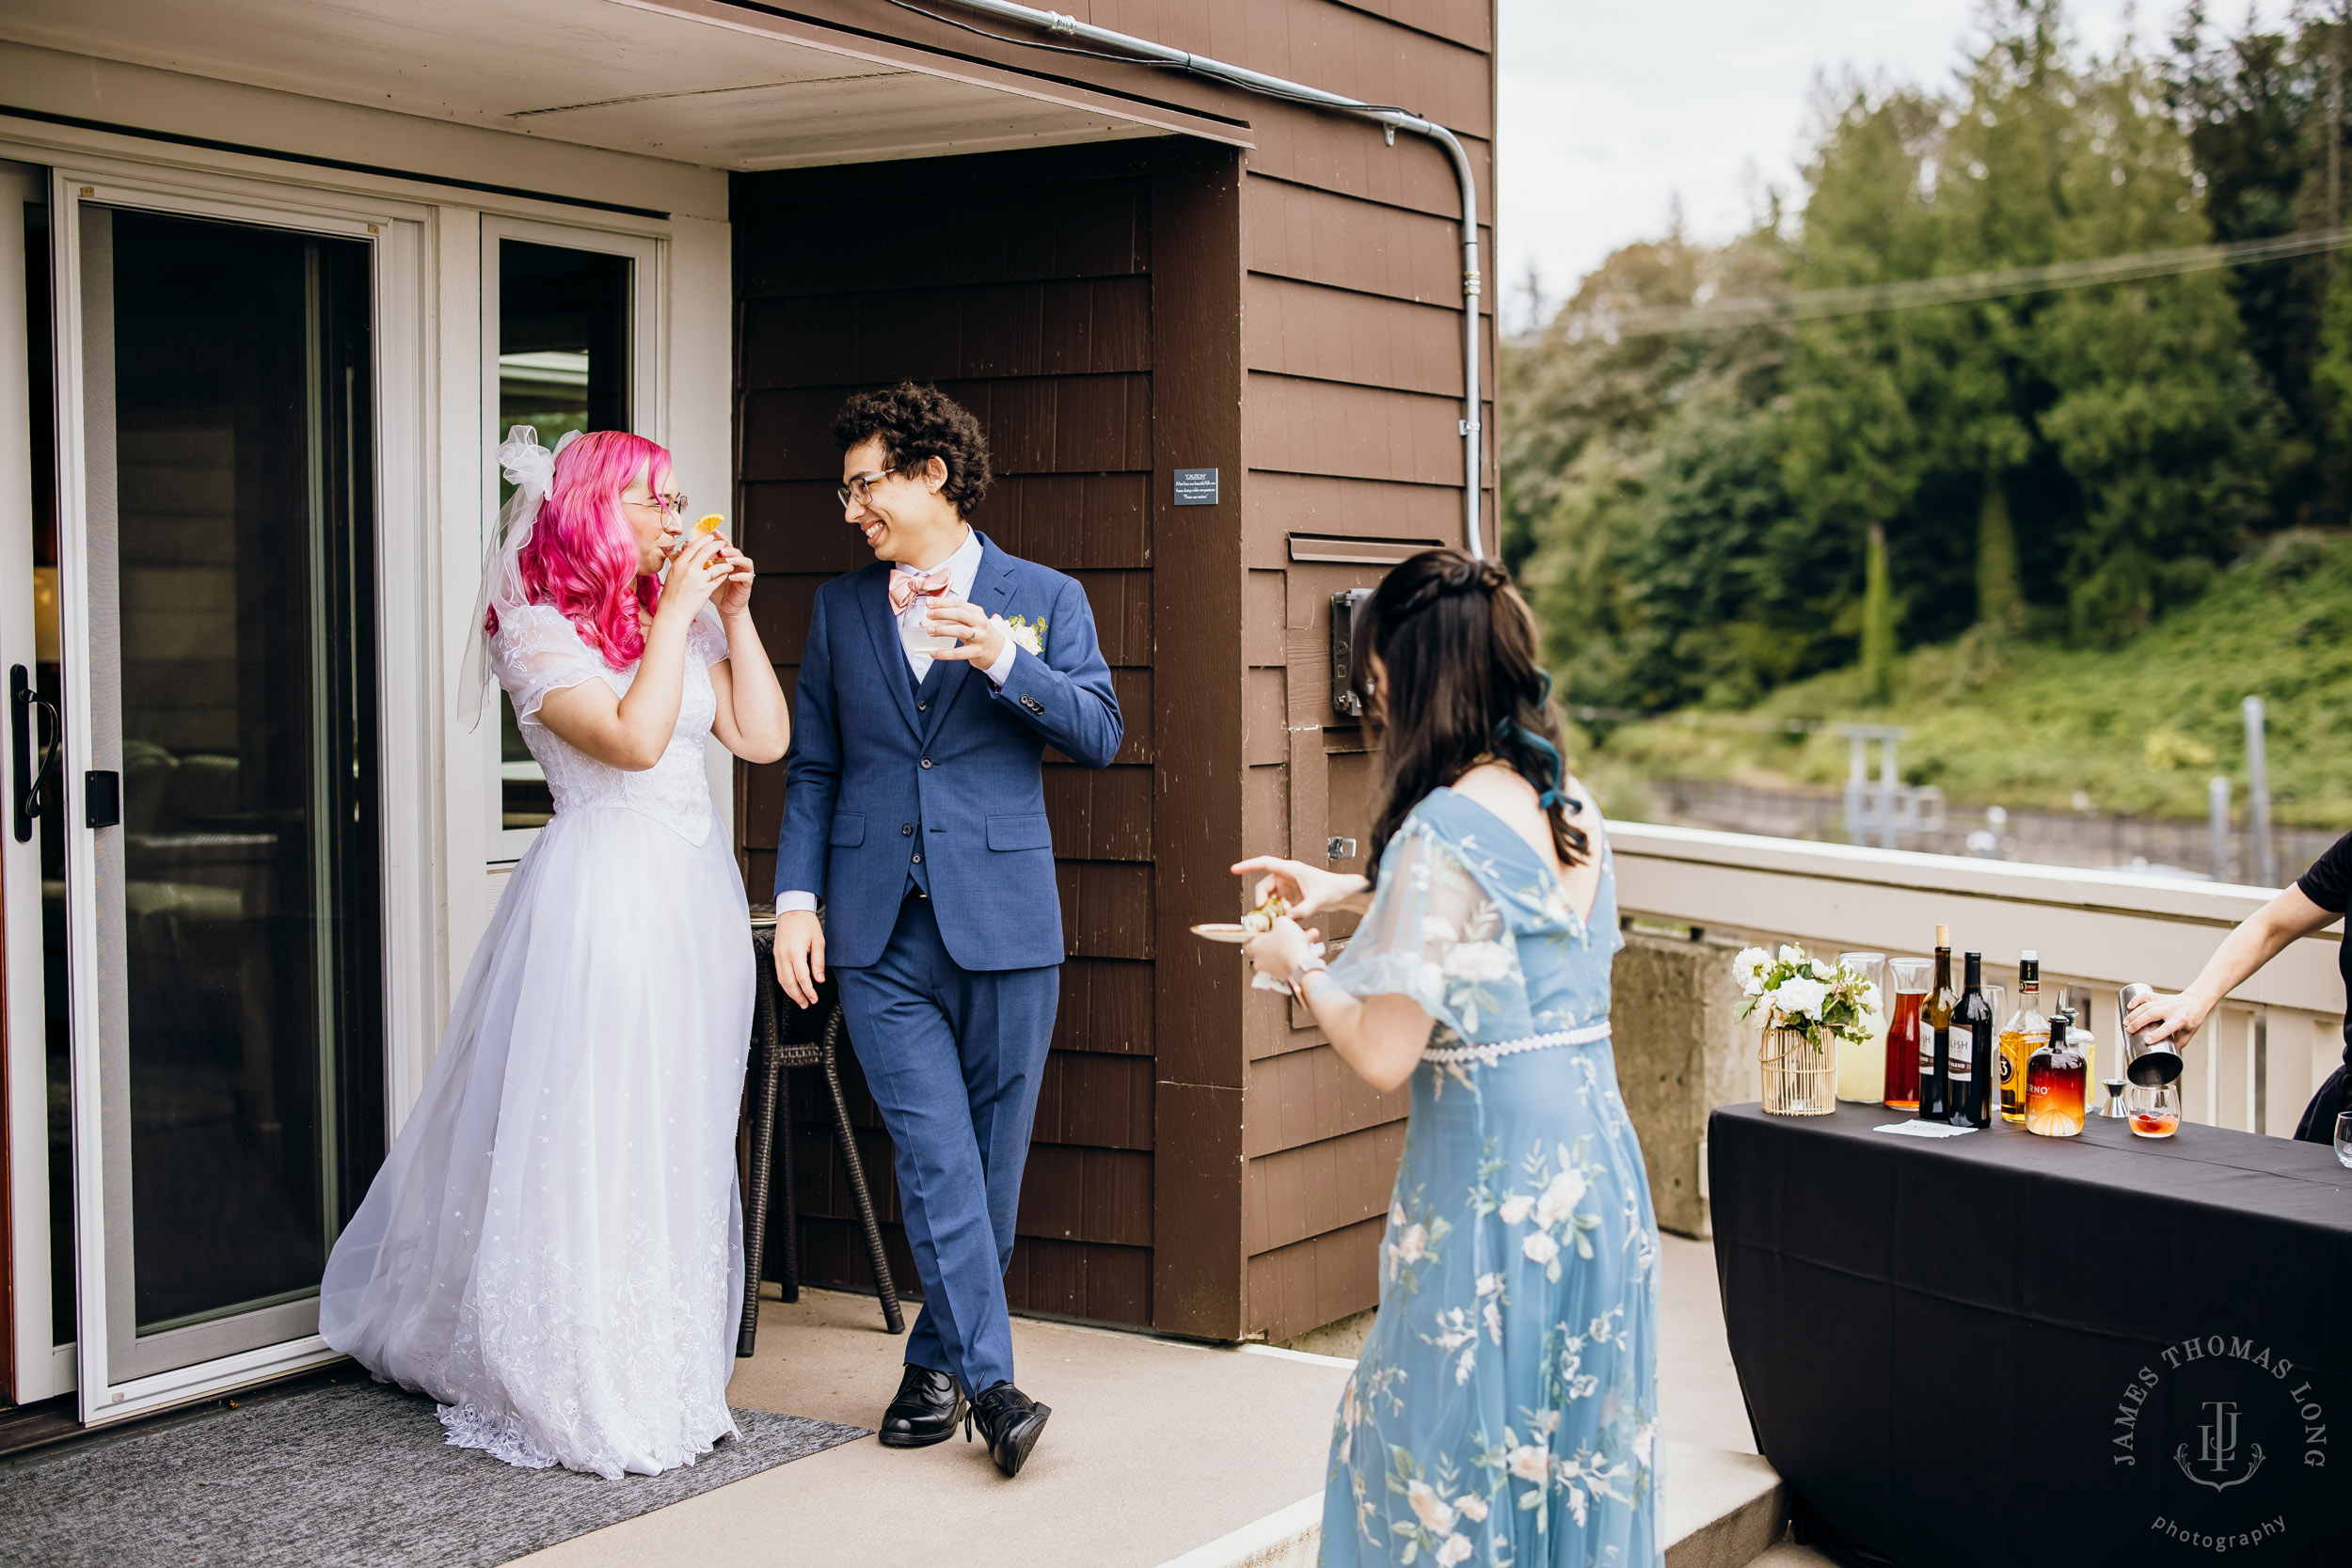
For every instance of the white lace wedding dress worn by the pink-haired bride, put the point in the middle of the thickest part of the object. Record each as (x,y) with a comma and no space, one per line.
(554,1249)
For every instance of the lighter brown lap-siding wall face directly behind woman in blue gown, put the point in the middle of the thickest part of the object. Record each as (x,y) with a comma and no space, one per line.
(1351,340)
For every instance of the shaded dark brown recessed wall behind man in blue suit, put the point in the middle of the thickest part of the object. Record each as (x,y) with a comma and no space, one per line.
(1038,311)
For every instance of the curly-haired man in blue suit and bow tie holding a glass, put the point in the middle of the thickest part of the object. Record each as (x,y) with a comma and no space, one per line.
(930,688)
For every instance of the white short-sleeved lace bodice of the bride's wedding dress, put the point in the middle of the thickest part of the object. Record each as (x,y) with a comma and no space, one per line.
(537,652)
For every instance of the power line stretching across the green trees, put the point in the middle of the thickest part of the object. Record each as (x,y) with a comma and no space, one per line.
(1958,288)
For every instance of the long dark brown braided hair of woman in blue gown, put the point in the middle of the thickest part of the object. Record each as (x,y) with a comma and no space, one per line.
(1459,652)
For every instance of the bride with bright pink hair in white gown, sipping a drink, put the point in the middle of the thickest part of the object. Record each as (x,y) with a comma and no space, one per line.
(554,1249)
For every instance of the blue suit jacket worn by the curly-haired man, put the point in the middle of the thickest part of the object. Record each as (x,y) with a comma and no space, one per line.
(871,779)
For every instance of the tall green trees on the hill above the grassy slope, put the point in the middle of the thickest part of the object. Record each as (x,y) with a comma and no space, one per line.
(1692,511)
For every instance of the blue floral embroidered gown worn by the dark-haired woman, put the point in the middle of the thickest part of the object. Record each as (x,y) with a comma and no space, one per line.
(1506,1405)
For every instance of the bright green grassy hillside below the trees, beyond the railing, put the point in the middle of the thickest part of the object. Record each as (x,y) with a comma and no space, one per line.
(2031,725)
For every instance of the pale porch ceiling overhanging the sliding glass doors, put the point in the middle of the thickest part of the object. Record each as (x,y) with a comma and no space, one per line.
(695,81)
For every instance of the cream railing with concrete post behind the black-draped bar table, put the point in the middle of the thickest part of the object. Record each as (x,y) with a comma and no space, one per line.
(1697,897)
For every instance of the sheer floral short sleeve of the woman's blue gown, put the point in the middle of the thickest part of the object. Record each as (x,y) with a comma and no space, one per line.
(1438,937)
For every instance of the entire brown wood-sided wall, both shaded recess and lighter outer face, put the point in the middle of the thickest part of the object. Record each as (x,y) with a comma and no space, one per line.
(1292,319)
